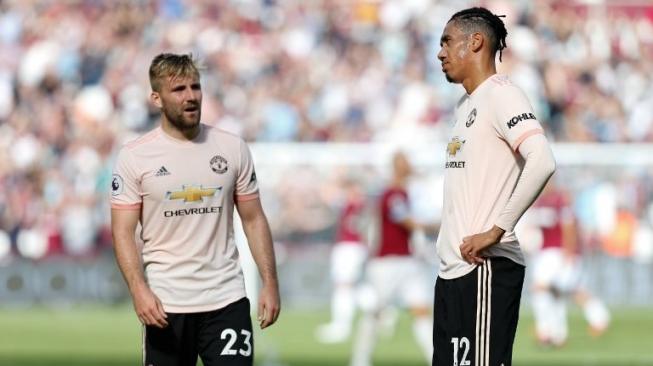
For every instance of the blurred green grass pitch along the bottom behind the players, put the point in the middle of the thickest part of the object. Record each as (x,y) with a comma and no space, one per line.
(112,336)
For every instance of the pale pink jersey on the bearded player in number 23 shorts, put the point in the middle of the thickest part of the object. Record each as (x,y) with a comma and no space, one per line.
(185,191)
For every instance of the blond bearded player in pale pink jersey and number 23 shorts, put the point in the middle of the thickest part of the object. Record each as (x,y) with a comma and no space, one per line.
(181,181)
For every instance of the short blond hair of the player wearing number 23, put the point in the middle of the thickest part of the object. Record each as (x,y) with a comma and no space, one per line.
(171,65)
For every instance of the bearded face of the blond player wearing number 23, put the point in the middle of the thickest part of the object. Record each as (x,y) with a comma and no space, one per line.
(181,101)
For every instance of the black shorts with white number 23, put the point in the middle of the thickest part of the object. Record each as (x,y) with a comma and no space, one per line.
(220,337)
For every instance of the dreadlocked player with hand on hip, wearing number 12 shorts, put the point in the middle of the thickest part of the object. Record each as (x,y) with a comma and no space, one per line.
(497,161)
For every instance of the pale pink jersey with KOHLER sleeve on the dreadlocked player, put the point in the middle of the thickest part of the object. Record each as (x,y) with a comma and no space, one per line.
(482,168)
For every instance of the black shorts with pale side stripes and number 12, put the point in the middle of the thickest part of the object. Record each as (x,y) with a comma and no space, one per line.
(476,315)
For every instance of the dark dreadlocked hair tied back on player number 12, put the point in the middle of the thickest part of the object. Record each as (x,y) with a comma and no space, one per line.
(482,20)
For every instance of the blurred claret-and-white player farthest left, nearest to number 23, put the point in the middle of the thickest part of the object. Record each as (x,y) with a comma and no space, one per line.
(348,258)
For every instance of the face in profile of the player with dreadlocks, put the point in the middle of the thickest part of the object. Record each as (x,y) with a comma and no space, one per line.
(453,53)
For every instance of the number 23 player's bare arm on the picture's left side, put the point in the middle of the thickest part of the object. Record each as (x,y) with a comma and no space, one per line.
(147,306)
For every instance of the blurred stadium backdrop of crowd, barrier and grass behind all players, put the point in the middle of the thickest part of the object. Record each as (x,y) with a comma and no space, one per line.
(321,90)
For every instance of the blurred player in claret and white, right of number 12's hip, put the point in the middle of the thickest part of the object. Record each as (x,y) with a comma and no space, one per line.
(557,271)
